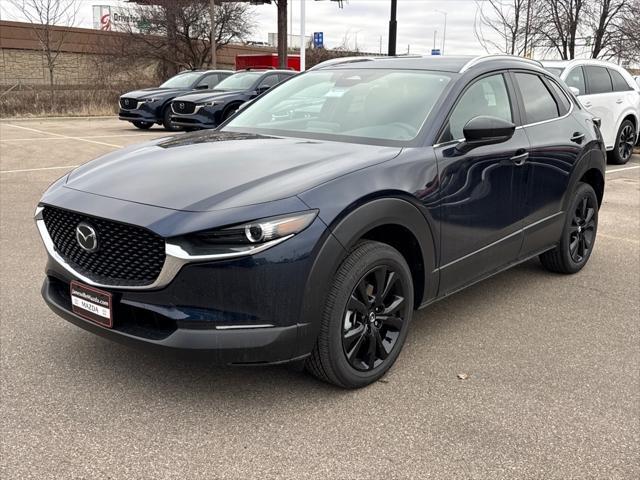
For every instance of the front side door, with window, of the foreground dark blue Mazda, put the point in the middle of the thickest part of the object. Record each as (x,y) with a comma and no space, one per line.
(480,224)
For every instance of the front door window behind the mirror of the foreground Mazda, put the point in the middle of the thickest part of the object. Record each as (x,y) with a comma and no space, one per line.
(487,96)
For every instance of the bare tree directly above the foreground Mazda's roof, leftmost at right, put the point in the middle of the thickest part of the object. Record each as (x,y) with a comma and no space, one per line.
(505,26)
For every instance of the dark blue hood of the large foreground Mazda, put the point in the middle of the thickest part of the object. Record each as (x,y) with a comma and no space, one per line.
(213,170)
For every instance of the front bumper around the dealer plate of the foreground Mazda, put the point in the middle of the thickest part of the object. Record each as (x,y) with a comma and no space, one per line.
(246,310)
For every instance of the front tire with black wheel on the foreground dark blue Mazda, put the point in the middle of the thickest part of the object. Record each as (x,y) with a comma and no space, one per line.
(365,319)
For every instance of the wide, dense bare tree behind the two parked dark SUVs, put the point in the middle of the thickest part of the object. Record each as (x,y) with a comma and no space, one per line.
(179,33)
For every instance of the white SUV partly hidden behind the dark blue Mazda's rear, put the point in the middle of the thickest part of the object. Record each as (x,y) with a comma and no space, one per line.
(609,92)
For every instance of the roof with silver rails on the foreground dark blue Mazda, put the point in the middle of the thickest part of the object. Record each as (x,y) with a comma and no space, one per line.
(454,64)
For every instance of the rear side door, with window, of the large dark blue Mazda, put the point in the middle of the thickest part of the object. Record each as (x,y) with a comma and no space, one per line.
(557,140)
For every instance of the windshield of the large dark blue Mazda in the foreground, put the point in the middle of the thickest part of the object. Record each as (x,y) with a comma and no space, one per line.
(378,105)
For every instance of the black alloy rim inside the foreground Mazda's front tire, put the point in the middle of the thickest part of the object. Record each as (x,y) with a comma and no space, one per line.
(373,318)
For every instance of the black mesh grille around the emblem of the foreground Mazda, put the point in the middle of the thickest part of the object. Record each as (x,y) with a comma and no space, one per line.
(126,255)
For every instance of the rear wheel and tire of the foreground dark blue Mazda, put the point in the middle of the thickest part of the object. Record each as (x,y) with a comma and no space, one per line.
(578,236)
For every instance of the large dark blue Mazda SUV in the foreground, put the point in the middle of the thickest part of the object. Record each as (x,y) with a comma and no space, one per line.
(311,225)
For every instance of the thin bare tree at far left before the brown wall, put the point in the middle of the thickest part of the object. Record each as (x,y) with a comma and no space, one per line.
(44,15)
